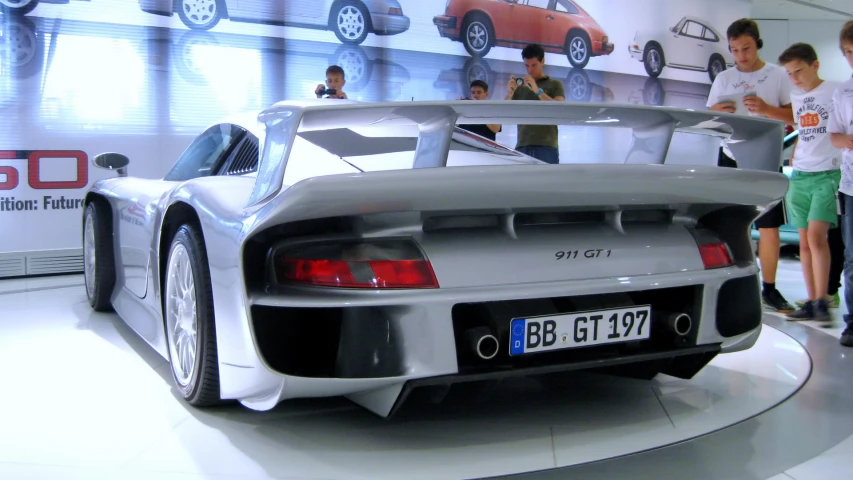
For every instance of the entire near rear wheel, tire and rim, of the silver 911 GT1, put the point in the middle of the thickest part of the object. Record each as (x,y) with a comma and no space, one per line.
(189,319)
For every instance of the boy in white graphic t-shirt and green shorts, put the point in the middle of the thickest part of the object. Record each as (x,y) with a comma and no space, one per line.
(814,182)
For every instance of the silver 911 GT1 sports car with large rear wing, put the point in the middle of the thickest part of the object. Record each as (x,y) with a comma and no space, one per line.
(332,248)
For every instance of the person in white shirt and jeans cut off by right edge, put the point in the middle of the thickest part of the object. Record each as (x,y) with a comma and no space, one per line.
(841,131)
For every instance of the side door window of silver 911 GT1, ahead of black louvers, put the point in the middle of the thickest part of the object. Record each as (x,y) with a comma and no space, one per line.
(203,155)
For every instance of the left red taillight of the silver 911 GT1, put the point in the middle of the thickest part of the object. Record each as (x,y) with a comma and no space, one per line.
(368,264)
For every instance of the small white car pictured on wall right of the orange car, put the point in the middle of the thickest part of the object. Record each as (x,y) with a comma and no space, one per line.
(692,44)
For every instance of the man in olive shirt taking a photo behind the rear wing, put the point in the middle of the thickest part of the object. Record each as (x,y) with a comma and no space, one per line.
(538,141)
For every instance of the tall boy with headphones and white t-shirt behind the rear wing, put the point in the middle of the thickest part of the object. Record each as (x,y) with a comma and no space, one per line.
(771,99)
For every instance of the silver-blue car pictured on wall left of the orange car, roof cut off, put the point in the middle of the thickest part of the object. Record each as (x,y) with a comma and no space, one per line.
(350,20)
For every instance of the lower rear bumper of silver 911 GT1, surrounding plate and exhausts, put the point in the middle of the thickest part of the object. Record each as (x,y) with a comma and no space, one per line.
(376,347)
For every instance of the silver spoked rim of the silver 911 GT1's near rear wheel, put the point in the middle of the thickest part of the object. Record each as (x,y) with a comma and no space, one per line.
(181,315)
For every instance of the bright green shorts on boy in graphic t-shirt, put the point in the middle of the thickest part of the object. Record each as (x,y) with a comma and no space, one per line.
(812,196)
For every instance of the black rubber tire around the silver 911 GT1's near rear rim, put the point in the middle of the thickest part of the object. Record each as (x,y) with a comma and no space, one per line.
(202,386)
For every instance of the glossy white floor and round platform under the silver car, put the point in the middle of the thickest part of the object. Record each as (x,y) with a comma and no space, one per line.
(98,403)
